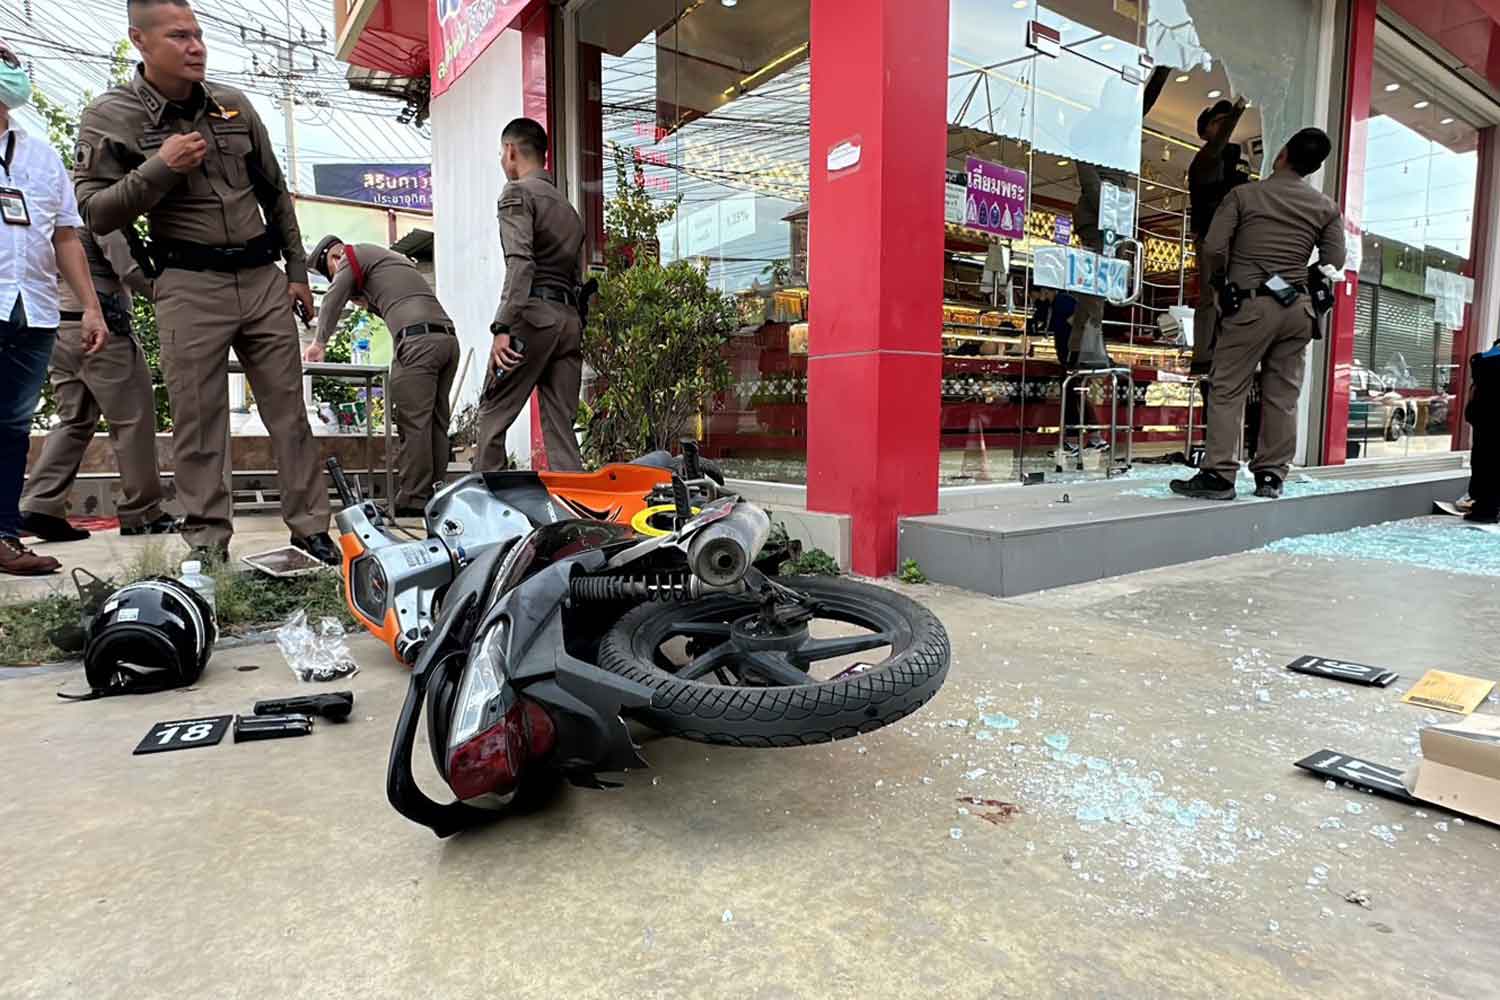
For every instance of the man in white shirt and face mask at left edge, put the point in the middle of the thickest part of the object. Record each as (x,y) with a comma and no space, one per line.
(38,241)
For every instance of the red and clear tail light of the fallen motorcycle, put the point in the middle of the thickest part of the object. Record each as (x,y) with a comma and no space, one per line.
(494,732)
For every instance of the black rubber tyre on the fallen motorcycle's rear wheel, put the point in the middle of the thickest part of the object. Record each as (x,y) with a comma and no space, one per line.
(793,716)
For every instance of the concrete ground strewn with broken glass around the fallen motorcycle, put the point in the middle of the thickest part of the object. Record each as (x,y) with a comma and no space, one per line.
(836,872)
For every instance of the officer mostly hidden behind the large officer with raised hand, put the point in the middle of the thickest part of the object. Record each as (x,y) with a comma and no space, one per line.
(113,383)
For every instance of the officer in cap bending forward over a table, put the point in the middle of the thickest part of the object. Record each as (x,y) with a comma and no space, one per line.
(427,355)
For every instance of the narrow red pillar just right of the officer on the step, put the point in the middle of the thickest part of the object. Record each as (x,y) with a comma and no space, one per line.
(1352,164)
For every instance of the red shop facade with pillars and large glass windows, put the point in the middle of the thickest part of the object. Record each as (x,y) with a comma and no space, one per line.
(889,190)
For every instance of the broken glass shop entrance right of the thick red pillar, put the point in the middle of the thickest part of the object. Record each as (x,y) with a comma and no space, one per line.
(1094,106)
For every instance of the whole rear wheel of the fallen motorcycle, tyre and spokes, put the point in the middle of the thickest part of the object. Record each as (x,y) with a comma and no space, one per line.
(748,692)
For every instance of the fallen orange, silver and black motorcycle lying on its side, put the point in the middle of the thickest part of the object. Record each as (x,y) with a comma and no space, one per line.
(535,635)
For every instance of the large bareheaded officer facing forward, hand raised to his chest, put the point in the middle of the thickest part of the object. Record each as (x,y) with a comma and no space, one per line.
(196,160)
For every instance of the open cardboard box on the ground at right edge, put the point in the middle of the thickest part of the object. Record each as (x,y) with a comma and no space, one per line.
(1462,767)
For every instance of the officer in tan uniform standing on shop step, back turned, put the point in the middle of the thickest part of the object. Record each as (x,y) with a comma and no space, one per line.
(1262,239)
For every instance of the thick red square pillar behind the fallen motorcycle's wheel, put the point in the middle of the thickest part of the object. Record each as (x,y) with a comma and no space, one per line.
(875,266)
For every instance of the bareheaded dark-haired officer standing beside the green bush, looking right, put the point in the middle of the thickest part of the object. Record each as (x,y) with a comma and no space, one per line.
(544,239)
